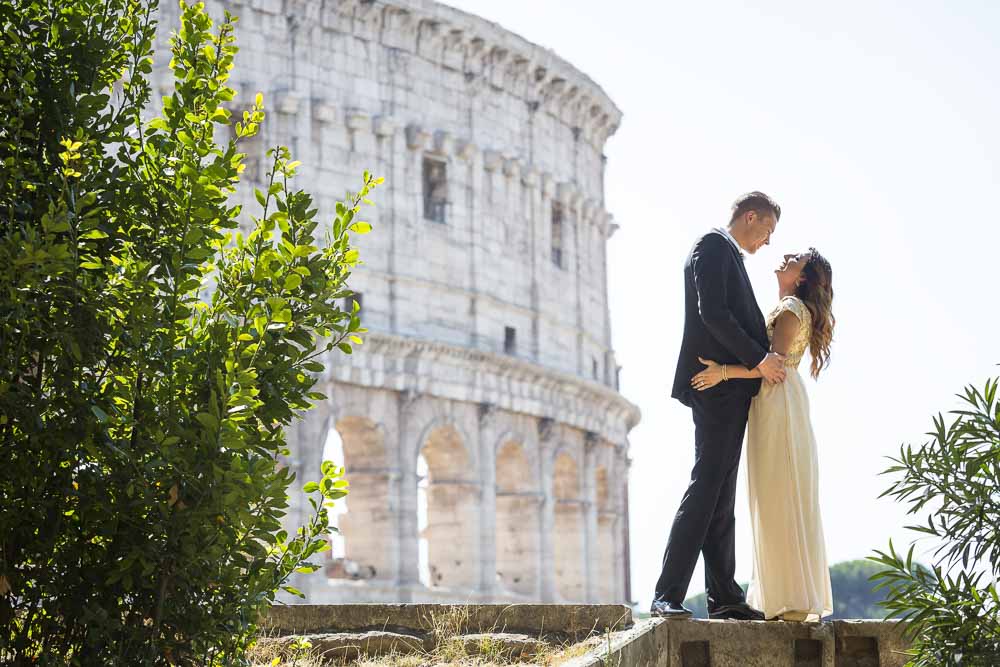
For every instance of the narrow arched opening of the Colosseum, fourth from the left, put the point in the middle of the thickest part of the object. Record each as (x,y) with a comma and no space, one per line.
(568,529)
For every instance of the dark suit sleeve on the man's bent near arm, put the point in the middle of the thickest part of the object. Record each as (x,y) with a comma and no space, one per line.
(712,260)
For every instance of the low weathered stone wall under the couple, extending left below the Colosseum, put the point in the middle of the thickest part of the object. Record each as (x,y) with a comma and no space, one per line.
(652,642)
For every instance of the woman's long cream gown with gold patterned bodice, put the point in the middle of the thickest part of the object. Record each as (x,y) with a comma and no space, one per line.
(791,576)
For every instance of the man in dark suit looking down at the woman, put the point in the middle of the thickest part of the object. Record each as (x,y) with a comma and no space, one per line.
(722,321)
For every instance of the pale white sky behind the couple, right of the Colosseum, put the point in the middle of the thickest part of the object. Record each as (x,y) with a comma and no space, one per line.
(876,126)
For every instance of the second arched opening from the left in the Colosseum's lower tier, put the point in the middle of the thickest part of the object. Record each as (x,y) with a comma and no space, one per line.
(452,501)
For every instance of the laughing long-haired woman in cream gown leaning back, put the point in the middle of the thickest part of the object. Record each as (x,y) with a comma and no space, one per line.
(791,580)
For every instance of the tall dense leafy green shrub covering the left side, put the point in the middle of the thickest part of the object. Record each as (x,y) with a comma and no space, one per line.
(151,355)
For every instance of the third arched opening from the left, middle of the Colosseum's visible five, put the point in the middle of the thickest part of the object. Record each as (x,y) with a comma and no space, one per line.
(517,521)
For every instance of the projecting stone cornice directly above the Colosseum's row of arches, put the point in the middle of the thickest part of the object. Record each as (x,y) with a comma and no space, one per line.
(477,376)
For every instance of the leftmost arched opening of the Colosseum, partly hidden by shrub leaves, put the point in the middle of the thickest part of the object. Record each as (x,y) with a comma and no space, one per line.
(365,520)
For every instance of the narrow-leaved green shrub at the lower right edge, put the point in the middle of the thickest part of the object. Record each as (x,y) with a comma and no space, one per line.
(953,479)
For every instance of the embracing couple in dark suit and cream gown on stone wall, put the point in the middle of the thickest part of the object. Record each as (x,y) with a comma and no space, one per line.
(738,373)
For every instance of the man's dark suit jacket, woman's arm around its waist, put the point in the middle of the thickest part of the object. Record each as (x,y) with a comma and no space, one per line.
(722,320)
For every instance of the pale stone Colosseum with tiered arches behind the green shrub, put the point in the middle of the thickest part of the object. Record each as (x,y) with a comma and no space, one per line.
(482,430)
